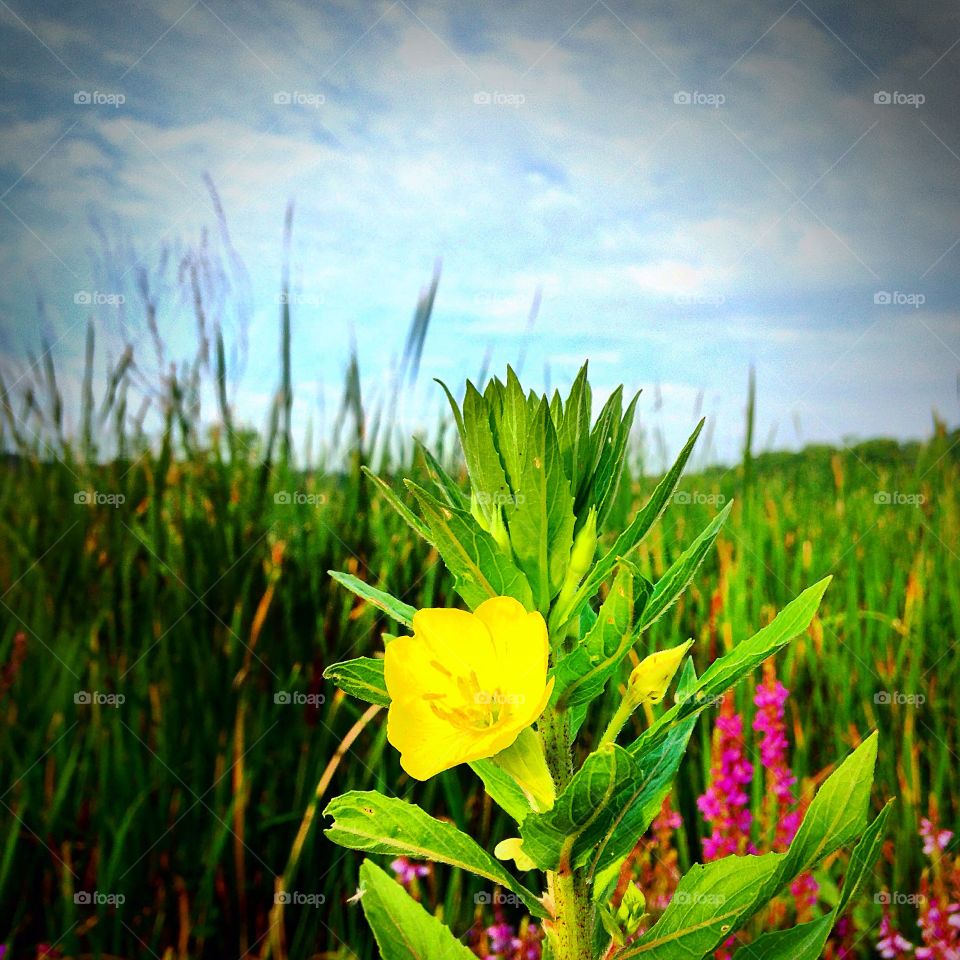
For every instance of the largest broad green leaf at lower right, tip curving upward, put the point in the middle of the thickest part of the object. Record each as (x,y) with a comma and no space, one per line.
(715,900)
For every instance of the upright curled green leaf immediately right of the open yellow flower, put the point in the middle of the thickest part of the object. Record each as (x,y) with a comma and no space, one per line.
(583,673)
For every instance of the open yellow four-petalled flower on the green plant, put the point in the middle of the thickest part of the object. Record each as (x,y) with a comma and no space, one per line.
(465,685)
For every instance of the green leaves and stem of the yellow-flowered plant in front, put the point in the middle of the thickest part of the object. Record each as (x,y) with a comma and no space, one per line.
(542,478)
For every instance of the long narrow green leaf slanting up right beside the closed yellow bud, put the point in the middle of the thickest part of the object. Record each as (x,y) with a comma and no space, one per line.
(725,671)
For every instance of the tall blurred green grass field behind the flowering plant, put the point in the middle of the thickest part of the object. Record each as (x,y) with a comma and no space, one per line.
(168,741)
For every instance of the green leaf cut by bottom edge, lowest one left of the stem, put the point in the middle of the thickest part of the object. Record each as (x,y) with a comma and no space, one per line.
(402,928)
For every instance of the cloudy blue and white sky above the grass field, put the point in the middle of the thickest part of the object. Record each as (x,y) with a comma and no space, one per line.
(684,190)
